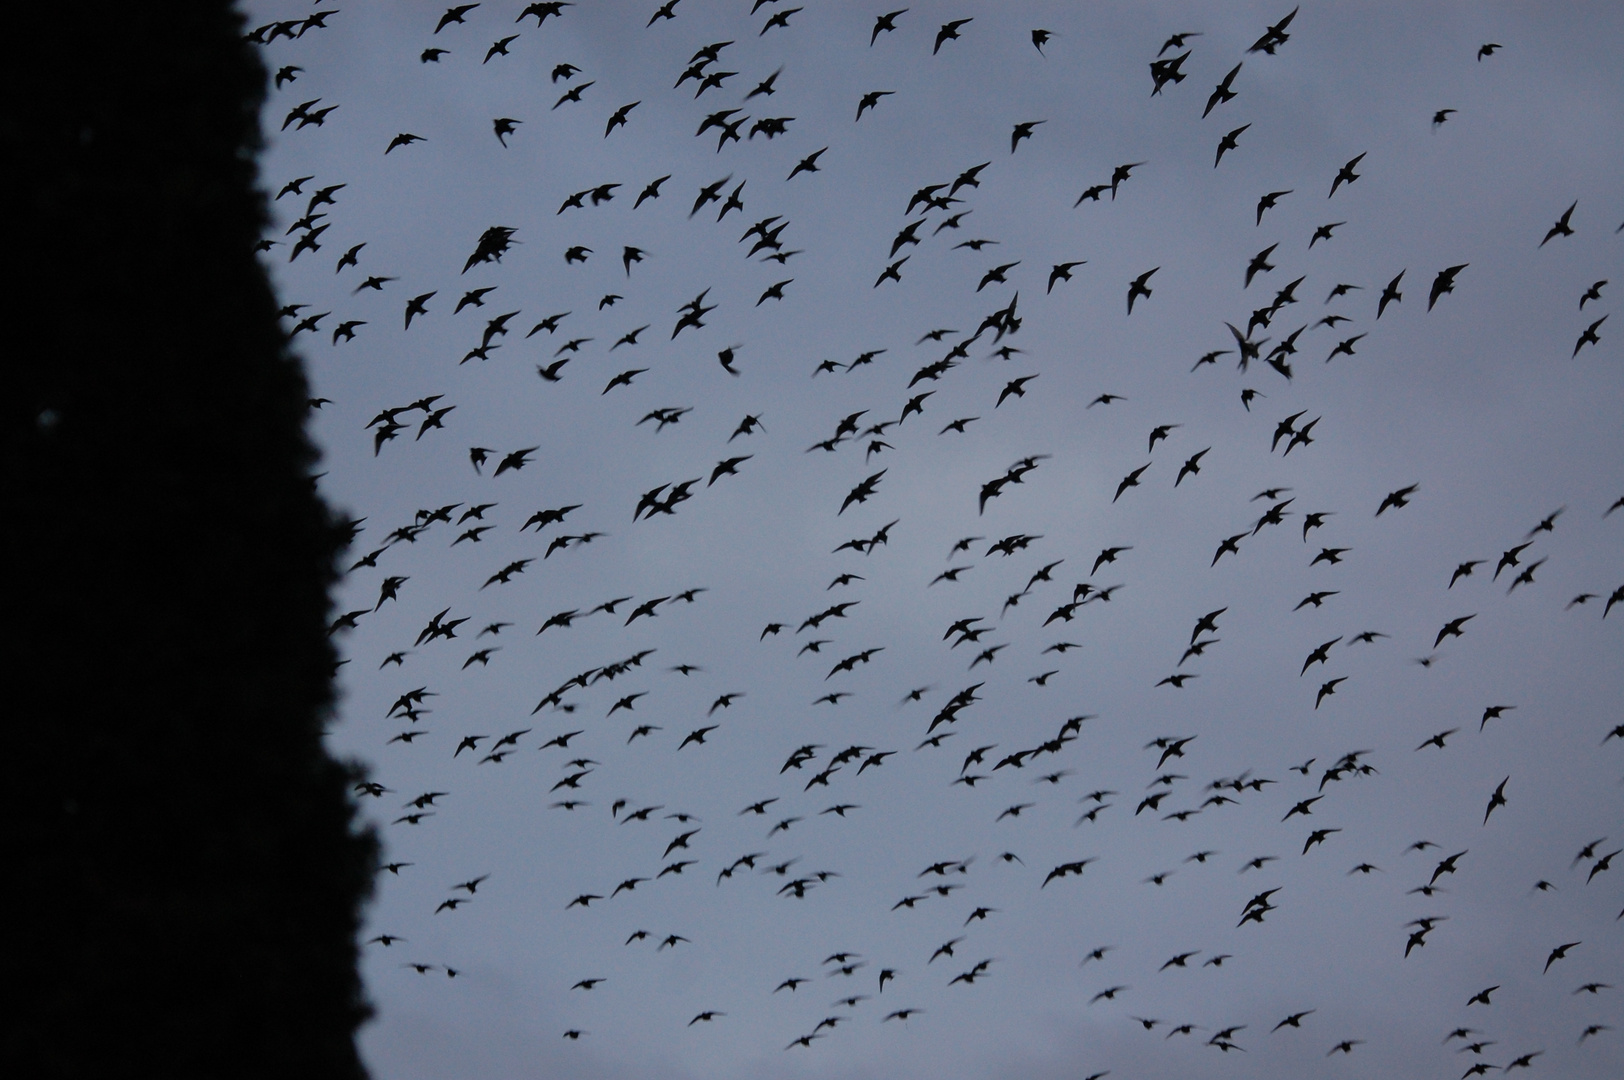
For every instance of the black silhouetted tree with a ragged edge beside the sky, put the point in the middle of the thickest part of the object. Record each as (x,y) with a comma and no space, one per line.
(186,863)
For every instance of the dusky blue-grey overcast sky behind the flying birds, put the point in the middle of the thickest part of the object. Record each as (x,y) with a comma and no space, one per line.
(1479,405)
